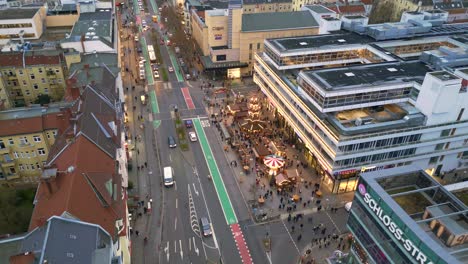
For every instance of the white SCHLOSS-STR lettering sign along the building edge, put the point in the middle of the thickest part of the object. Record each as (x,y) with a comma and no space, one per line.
(393,227)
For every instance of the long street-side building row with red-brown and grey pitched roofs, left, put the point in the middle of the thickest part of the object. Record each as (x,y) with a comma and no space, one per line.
(86,171)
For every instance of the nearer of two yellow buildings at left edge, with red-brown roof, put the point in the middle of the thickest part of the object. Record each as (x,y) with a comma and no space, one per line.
(26,138)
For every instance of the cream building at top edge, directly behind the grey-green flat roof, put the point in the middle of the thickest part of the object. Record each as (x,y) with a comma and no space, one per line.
(266,6)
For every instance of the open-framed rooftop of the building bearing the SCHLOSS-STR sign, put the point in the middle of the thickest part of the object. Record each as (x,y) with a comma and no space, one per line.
(417,199)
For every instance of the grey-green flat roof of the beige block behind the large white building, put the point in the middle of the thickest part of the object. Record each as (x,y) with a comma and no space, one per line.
(278,21)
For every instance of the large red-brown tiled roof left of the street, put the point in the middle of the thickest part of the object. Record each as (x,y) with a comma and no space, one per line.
(79,193)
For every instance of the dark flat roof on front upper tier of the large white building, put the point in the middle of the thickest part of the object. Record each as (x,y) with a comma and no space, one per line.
(368,75)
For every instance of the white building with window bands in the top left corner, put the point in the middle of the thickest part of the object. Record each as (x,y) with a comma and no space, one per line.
(22,23)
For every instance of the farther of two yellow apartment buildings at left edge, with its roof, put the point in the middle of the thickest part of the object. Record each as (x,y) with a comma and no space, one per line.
(27,74)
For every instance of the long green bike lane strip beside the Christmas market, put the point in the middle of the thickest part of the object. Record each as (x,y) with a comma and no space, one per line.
(223,197)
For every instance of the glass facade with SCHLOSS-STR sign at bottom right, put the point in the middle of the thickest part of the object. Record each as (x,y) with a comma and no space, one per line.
(381,233)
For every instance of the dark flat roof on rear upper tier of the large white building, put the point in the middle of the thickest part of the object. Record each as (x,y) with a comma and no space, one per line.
(318,41)
